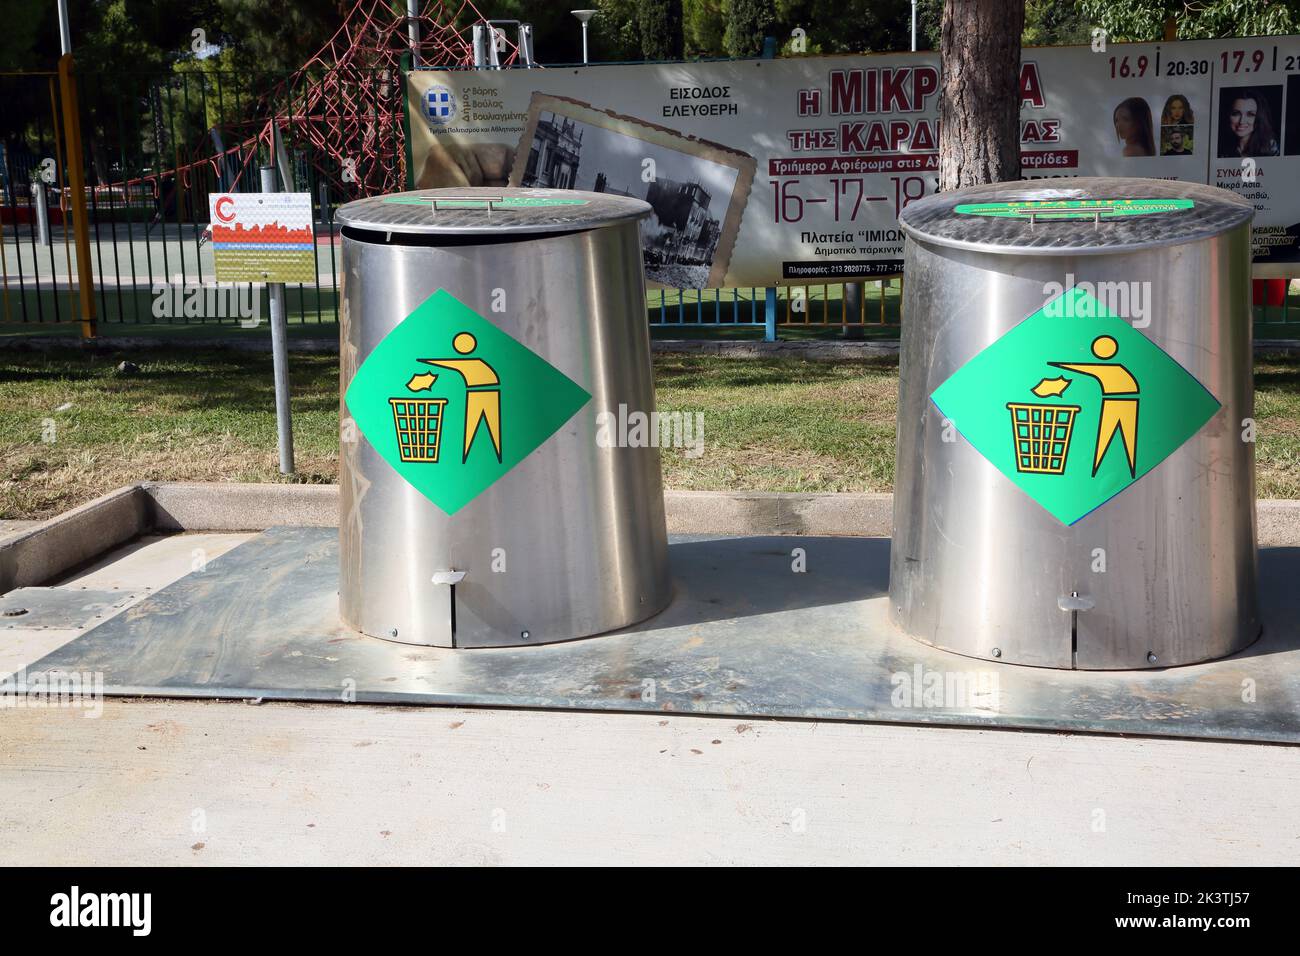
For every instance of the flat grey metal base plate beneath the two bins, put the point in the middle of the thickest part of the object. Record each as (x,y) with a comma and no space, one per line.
(746,637)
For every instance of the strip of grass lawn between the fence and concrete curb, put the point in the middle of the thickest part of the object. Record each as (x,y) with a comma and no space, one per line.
(72,427)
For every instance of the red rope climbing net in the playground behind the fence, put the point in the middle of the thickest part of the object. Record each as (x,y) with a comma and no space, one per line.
(343,109)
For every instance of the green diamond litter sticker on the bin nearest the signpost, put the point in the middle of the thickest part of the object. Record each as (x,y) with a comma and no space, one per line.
(453,403)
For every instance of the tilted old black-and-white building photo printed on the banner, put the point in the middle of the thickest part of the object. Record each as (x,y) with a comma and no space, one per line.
(697,189)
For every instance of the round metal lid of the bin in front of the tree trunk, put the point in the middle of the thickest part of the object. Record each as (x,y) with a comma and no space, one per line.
(1074,217)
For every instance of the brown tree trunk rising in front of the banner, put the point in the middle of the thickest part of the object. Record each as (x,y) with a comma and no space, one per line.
(980,106)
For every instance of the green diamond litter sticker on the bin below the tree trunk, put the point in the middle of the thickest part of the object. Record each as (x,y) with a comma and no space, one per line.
(1074,405)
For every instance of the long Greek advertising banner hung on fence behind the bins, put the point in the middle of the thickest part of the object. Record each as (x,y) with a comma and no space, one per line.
(786,172)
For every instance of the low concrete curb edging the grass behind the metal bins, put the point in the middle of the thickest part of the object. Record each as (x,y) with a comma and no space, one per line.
(53,548)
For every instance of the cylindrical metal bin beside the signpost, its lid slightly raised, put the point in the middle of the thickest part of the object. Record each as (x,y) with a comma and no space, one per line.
(488,339)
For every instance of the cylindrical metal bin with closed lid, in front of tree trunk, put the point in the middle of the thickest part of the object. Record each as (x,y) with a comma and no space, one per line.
(1076,470)
